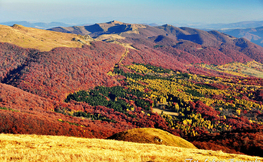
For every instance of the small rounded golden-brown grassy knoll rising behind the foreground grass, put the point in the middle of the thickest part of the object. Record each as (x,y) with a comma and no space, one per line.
(152,135)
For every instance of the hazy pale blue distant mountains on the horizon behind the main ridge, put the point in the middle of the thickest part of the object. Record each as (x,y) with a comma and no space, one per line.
(250,30)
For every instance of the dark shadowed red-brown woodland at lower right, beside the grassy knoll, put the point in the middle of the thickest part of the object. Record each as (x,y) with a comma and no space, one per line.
(247,140)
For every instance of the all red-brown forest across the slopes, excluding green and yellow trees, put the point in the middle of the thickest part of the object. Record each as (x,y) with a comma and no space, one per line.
(55,74)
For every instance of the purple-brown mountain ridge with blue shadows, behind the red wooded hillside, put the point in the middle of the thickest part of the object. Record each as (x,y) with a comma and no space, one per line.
(210,47)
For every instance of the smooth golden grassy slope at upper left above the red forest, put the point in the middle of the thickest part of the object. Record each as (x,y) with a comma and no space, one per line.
(42,40)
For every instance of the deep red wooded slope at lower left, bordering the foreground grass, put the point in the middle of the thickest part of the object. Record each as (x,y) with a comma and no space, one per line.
(24,123)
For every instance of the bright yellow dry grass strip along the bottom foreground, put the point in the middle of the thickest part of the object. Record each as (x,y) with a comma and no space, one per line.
(60,148)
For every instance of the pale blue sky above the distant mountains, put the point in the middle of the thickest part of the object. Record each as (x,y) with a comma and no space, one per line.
(133,11)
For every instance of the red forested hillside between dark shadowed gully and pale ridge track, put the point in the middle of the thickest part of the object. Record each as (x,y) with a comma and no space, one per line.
(62,71)
